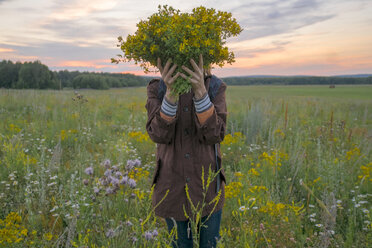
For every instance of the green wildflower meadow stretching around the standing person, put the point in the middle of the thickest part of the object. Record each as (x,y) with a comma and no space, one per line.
(76,168)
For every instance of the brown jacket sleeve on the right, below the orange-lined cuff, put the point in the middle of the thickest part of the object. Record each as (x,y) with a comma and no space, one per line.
(212,131)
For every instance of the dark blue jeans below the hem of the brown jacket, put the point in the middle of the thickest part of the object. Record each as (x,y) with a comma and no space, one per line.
(208,235)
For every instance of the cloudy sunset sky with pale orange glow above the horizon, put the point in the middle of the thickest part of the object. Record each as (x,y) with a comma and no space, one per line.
(280,37)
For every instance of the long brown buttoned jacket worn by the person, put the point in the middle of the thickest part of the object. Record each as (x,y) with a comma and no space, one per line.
(184,146)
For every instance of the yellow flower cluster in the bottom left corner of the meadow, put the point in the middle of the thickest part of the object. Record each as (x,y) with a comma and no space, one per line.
(11,230)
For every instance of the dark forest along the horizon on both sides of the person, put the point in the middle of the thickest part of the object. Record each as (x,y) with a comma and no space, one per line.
(35,75)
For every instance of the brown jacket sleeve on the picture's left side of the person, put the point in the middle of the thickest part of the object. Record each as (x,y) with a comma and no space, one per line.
(160,130)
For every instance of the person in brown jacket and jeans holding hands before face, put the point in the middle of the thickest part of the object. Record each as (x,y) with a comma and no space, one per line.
(187,129)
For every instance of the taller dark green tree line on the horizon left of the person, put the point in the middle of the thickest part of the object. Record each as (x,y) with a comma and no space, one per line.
(35,75)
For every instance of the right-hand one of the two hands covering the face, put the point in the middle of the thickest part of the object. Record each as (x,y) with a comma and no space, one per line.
(197,77)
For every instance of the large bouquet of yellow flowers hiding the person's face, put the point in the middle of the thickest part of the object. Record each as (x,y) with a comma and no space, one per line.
(181,37)
